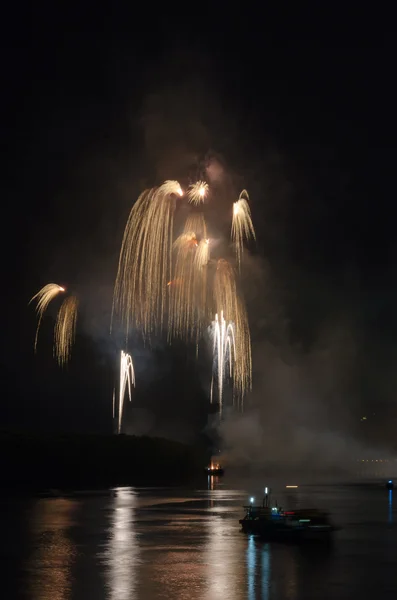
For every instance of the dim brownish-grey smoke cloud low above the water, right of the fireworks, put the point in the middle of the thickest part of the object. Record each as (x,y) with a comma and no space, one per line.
(301,416)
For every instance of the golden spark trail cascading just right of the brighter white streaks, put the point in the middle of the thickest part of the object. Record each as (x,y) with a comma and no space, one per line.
(228,303)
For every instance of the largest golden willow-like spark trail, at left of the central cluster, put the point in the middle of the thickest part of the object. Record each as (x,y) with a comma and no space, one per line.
(145,259)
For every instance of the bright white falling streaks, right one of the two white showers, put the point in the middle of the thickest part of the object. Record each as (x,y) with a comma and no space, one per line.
(224,354)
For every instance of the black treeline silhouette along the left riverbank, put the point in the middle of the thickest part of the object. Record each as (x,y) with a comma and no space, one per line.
(38,461)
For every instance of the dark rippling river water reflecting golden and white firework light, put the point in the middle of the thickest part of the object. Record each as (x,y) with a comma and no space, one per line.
(141,543)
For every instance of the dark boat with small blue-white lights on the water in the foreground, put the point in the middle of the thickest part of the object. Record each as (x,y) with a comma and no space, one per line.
(275,524)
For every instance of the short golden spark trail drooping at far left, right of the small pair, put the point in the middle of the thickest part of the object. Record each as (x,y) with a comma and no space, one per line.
(65,330)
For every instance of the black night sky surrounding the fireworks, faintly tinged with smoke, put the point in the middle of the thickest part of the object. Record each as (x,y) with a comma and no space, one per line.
(97,106)
